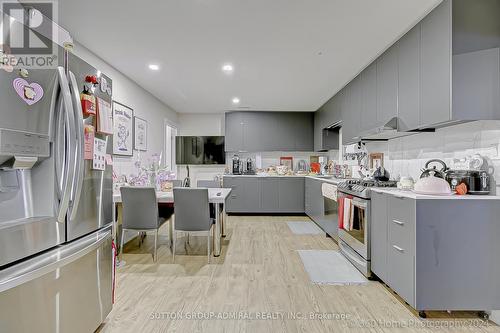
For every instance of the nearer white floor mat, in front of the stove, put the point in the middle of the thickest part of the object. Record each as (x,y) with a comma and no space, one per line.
(330,267)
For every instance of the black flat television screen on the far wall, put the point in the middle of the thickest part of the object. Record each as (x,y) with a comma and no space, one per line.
(200,150)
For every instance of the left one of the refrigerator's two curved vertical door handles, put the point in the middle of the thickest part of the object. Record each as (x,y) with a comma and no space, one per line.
(70,156)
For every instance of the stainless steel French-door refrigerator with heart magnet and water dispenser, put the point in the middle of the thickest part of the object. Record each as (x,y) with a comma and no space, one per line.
(55,209)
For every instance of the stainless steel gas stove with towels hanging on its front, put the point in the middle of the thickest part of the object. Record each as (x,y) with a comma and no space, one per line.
(355,220)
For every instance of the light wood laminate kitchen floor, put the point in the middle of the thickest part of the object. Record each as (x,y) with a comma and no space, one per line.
(258,274)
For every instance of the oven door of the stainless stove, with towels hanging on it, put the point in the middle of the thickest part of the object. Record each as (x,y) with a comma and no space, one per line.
(355,229)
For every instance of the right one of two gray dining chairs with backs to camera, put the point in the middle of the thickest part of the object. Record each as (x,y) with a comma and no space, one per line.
(192,214)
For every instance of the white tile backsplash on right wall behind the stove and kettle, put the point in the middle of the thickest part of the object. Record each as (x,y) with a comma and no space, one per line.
(407,155)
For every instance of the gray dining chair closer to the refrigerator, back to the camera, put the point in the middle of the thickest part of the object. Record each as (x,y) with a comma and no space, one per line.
(140,212)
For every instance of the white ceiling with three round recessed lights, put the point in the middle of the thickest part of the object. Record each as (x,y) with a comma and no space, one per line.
(288,55)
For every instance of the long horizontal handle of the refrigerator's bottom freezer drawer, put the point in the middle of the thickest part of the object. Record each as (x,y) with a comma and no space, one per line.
(51,261)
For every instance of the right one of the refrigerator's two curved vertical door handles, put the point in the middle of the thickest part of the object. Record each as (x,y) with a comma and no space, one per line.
(80,146)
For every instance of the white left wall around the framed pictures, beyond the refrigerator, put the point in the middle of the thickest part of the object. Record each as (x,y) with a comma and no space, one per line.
(144,104)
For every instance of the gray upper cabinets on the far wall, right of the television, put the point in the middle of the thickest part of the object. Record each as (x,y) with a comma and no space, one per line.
(269,131)
